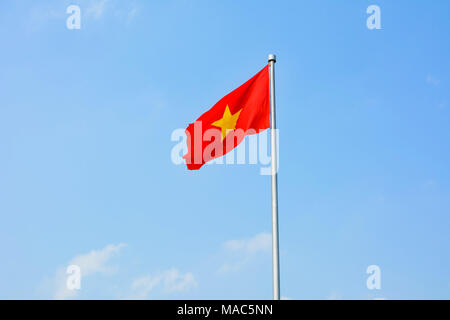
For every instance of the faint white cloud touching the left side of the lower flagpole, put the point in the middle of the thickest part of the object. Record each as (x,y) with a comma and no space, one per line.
(243,251)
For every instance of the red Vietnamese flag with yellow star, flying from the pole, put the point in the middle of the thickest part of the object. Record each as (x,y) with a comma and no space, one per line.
(219,130)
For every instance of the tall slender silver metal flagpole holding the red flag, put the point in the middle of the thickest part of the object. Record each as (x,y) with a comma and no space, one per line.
(274,156)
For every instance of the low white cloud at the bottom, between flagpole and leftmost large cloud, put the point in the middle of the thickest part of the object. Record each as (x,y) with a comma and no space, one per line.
(169,281)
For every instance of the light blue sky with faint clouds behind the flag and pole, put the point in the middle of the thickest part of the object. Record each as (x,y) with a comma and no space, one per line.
(86,175)
